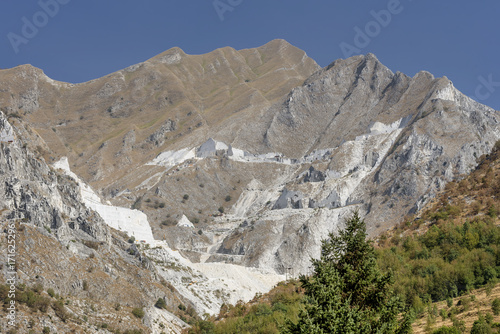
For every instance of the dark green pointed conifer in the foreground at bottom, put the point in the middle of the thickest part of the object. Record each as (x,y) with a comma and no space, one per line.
(347,292)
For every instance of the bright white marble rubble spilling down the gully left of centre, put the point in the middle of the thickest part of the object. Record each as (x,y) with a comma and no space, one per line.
(207,285)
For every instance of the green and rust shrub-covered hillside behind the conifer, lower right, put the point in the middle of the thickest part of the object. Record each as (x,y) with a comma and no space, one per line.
(443,262)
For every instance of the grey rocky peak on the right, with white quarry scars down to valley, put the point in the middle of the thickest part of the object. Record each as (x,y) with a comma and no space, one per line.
(388,144)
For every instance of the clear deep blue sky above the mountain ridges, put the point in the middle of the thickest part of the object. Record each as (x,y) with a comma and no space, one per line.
(86,39)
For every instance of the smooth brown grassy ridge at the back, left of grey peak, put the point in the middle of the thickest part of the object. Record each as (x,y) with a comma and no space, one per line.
(109,125)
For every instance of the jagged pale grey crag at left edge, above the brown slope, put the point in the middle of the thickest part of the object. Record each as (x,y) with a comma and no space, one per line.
(35,193)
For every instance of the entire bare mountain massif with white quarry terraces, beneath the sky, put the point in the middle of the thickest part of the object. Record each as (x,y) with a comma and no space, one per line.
(240,162)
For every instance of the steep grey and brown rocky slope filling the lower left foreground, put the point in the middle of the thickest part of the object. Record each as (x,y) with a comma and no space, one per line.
(63,245)
